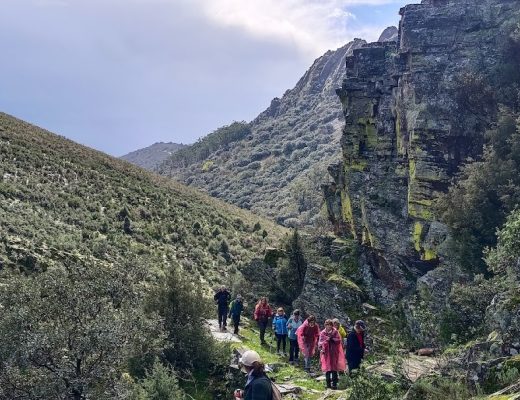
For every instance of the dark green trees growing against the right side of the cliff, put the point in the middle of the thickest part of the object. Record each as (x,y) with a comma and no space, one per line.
(487,190)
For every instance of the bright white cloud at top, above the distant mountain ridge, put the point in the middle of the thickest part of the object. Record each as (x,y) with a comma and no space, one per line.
(314,26)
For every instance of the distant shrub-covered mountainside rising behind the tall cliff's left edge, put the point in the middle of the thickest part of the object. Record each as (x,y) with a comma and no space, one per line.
(276,168)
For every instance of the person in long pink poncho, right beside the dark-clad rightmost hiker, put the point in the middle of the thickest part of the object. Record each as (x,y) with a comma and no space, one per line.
(331,354)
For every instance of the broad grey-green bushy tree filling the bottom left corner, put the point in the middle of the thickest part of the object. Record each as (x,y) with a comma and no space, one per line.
(67,333)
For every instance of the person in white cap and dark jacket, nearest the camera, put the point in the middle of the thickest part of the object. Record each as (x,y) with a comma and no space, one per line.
(258,385)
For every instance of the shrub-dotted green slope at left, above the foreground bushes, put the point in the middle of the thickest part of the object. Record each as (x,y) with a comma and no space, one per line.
(60,197)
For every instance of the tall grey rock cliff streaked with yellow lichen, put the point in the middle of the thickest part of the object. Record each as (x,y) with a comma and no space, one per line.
(405,136)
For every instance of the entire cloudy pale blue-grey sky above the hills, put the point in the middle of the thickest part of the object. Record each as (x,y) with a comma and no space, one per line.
(119,75)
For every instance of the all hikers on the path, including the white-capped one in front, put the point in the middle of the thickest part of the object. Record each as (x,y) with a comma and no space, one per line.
(336,348)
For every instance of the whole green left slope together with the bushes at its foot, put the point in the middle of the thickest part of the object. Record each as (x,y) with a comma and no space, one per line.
(104,269)
